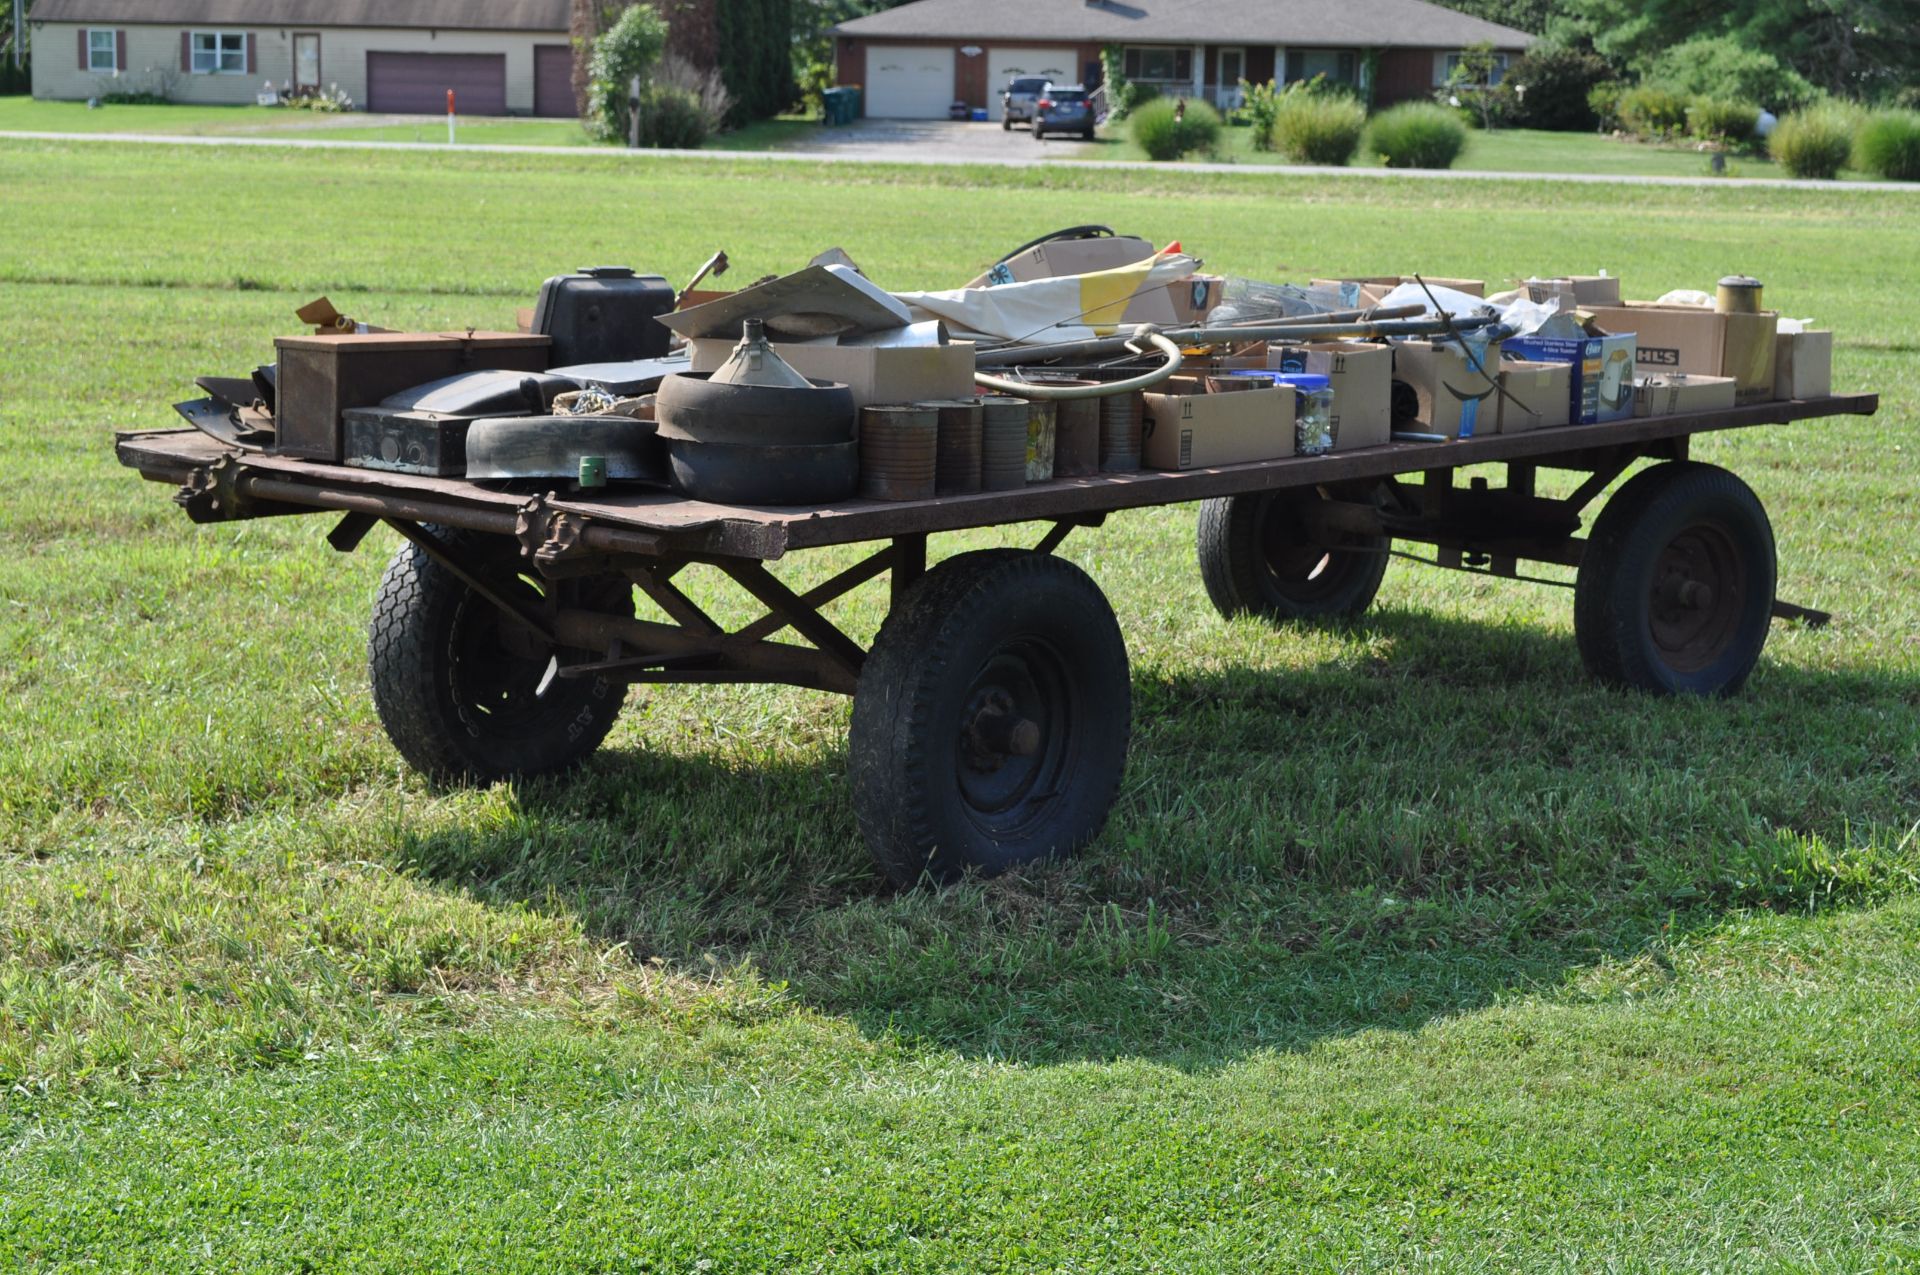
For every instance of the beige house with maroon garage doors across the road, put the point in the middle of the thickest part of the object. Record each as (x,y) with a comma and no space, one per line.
(500,57)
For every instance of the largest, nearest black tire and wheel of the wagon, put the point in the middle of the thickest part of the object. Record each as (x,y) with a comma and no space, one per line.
(992,719)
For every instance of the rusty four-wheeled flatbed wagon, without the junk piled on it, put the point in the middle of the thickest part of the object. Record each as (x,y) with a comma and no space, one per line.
(992,711)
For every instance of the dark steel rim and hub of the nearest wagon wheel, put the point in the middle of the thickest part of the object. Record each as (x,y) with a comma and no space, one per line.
(1001,790)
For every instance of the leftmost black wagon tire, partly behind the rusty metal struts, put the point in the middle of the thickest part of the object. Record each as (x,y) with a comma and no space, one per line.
(466,694)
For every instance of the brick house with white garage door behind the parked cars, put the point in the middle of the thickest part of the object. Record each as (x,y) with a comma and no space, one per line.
(921,59)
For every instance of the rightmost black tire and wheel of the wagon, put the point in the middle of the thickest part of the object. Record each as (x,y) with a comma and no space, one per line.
(1677,583)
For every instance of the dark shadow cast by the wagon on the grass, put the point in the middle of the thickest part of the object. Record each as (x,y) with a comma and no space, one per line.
(1437,817)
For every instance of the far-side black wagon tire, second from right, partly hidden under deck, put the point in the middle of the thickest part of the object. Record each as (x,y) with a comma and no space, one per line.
(1259,558)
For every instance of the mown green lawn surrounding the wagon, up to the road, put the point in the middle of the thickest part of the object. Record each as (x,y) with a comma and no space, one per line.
(1404,948)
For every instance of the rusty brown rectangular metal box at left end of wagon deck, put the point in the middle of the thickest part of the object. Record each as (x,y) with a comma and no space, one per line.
(320,377)
